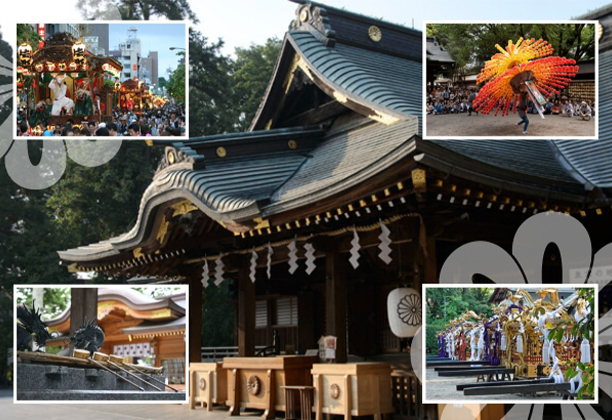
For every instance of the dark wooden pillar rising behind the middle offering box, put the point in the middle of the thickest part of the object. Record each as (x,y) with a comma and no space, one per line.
(246,312)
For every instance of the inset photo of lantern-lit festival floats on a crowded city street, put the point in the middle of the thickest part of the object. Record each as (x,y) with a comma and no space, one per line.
(101,79)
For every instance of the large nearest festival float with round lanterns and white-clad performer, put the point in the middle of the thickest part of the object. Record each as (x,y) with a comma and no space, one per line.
(71,77)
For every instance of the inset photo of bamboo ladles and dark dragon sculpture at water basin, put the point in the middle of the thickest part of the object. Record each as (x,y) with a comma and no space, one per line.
(113,344)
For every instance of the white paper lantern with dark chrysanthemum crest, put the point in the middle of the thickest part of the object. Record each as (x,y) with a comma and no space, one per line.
(404,310)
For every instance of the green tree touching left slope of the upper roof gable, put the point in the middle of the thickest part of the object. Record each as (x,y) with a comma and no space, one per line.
(252,71)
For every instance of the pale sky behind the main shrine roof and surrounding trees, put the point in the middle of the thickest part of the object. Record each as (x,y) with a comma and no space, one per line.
(243,22)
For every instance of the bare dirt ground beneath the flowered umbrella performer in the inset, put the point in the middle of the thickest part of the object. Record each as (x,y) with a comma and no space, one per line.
(462,125)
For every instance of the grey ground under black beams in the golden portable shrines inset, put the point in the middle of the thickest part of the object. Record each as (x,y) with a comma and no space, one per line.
(440,389)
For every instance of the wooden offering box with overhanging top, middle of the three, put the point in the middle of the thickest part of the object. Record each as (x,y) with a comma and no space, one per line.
(255,382)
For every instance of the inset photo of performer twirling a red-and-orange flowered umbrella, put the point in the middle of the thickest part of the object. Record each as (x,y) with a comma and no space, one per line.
(511,80)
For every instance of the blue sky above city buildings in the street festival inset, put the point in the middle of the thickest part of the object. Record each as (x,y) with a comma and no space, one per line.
(153,37)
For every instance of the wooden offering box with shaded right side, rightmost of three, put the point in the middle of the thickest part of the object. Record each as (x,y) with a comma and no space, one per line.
(352,389)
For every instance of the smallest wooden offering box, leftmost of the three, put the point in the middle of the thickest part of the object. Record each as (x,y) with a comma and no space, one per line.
(208,384)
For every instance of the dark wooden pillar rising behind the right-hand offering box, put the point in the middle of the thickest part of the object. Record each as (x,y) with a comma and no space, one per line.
(335,301)
